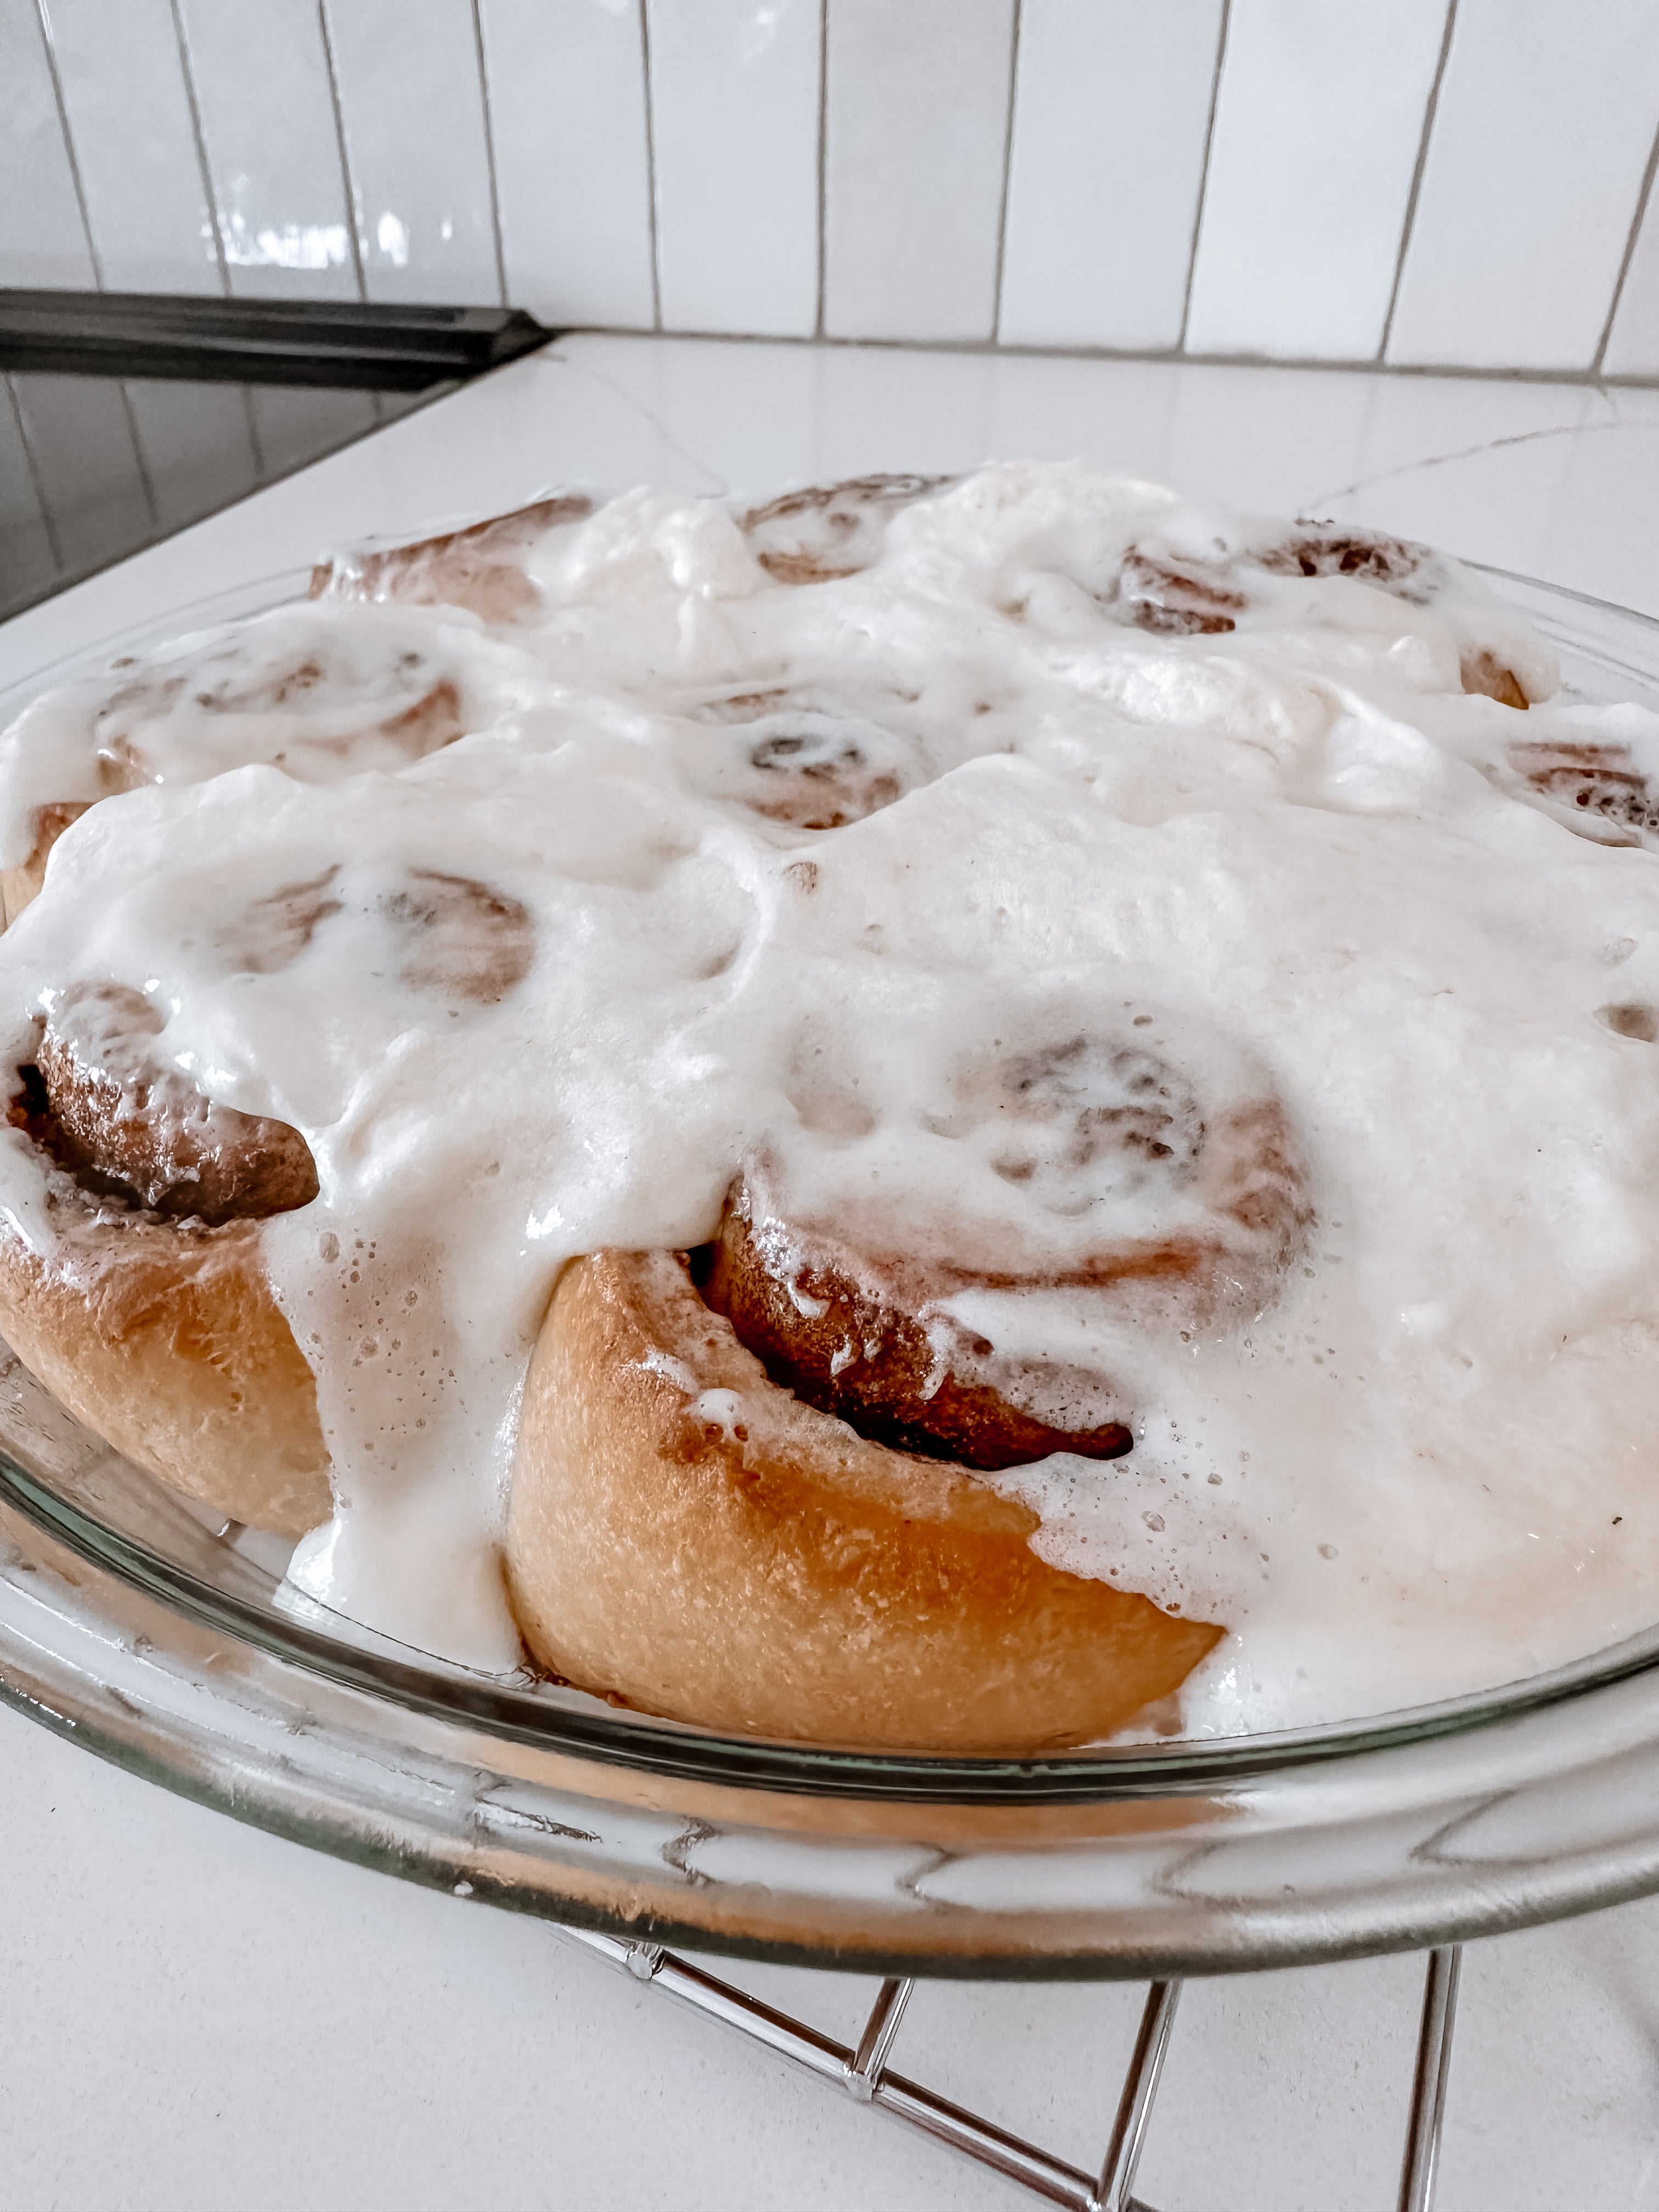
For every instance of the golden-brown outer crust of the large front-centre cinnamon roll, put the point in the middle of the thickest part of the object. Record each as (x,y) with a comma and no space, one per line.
(691,1541)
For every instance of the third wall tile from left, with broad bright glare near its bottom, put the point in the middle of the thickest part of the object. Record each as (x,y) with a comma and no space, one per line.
(273,147)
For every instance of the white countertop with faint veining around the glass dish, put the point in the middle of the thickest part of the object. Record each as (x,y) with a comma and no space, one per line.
(200,2016)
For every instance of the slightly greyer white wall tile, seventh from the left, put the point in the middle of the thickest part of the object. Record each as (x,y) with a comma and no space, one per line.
(917,118)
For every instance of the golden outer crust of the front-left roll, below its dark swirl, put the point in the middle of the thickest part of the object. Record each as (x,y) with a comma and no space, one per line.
(167,1342)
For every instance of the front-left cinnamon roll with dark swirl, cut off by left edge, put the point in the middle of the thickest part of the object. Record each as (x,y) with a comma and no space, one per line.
(134,1286)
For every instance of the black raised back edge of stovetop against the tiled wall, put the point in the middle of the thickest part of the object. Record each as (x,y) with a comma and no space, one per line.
(258,340)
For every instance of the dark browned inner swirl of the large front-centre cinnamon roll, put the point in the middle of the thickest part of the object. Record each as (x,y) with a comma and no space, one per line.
(857,1326)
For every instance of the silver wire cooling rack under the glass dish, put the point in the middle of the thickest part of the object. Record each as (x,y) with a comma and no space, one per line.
(864,2076)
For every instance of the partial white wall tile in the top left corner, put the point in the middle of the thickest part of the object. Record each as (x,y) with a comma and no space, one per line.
(43,240)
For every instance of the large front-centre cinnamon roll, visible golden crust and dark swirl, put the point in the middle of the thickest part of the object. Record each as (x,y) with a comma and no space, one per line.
(751,1481)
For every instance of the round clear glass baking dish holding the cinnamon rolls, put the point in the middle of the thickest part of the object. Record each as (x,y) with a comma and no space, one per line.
(156,1638)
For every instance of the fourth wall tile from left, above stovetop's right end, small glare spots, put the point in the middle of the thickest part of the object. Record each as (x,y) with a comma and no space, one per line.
(413,109)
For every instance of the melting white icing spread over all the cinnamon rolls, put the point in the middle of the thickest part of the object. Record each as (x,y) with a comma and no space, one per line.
(1297,848)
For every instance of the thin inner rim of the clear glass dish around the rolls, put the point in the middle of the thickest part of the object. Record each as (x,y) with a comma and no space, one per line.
(640,1742)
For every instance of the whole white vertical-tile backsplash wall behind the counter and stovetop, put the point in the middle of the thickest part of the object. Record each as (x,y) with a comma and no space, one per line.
(1415,182)
